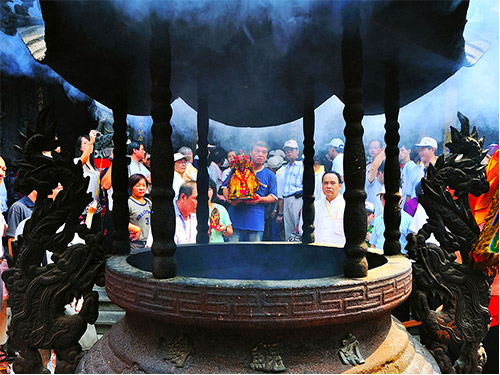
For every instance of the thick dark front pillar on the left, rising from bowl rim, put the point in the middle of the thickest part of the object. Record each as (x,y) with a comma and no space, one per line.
(162,165)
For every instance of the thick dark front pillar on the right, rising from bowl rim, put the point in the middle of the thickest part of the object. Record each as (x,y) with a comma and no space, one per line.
(354,155)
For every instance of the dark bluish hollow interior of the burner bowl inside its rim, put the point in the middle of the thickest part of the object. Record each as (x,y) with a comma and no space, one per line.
(256,261)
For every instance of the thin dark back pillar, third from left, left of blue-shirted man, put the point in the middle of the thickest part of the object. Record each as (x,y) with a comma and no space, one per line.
(202,181)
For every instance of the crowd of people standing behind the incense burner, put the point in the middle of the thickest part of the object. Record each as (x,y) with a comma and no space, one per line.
(273,214)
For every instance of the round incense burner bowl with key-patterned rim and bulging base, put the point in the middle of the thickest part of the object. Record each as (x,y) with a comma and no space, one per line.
(251,307)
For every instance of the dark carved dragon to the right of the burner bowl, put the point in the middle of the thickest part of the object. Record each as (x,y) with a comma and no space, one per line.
(463,291)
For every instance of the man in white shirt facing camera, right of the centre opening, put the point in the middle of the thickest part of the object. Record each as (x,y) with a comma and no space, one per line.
(329,218)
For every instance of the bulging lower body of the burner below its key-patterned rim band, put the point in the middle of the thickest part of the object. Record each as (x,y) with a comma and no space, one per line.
(140,345)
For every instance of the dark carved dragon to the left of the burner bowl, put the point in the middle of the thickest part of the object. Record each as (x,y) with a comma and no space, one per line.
(38,294)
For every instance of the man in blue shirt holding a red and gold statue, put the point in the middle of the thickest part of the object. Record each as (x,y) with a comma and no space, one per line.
(248,216)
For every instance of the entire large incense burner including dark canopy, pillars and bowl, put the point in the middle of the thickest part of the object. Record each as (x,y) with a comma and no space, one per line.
(249,307)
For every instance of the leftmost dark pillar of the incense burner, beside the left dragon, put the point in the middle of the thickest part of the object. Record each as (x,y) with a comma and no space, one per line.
(119,174)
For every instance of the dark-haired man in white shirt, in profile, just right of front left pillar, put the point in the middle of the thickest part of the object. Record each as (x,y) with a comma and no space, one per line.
(185,214)
